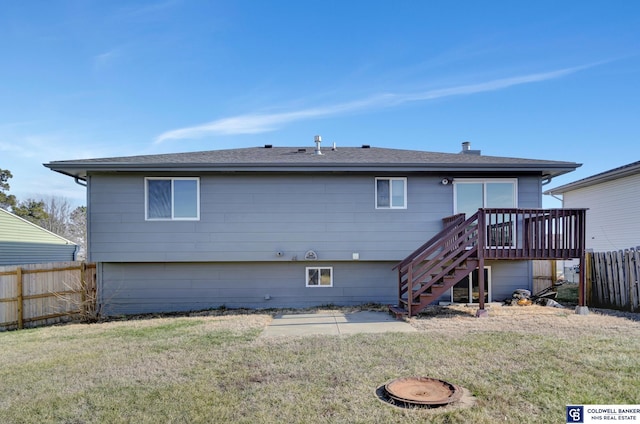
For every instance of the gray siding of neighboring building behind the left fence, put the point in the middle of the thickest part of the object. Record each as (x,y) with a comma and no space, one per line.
(15,253)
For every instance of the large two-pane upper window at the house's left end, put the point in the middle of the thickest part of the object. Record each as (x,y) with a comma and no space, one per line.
(172,198)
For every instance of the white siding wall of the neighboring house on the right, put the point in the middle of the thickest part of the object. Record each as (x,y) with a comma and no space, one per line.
(613,221)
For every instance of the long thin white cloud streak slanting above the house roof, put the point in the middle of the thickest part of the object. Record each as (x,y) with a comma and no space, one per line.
(265,122)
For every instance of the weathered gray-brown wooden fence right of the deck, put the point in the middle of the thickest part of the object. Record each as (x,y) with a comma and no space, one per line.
(615,279)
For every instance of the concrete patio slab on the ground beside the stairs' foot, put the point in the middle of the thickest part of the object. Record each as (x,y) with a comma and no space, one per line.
(335,323)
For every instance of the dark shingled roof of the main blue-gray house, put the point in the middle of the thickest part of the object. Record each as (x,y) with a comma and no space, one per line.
(305,159)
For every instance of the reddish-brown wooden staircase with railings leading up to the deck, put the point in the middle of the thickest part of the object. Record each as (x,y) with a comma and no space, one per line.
(437,265)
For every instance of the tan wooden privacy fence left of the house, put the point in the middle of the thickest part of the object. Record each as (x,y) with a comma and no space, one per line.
(44,294)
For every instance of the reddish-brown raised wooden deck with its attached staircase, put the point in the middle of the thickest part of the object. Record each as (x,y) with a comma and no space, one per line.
(496,234)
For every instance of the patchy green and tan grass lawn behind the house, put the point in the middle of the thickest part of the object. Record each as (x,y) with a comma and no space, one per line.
(522,365)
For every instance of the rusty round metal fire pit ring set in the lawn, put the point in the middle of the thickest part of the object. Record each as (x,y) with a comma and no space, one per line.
(422,391)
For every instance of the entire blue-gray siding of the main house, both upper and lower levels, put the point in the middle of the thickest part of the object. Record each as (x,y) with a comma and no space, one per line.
(230,256)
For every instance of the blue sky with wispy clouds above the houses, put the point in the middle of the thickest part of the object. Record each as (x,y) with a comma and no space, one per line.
(556,80)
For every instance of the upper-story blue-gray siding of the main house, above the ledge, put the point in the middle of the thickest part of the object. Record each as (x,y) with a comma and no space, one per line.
(250,218)
